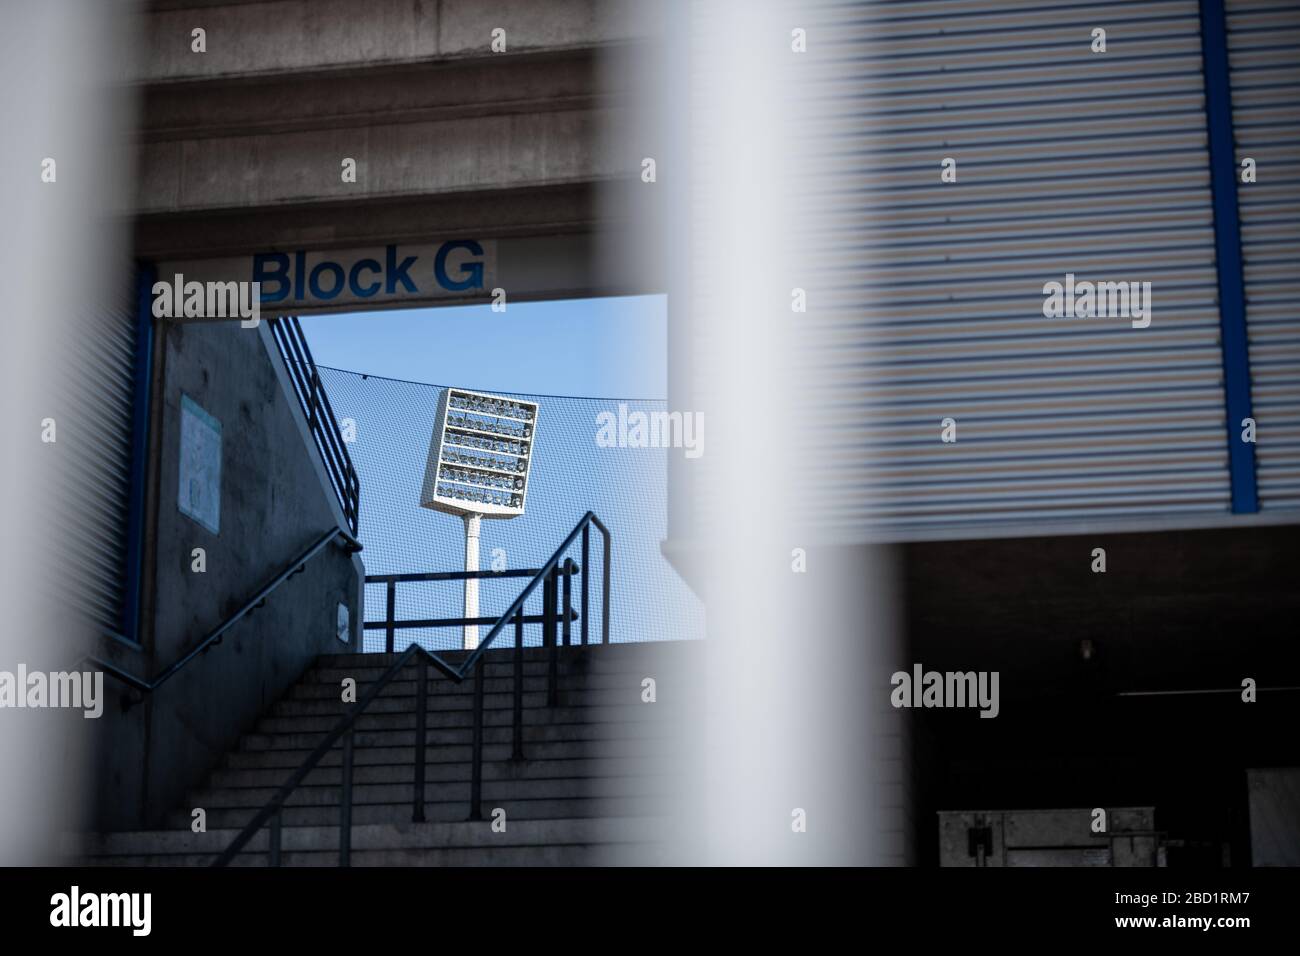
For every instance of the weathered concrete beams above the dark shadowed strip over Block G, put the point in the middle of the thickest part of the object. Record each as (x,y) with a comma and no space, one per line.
(423,107)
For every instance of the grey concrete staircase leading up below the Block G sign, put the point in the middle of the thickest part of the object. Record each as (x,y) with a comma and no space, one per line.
(592,788)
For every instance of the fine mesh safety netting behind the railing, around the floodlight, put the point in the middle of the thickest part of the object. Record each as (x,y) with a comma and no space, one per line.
(389,425)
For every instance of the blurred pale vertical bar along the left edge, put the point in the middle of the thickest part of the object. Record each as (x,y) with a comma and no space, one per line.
(63,254)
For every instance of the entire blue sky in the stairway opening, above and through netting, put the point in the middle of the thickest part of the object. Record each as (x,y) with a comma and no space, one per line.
(595,349)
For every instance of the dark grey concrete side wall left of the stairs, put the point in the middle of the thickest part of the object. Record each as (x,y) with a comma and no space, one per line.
(274,507)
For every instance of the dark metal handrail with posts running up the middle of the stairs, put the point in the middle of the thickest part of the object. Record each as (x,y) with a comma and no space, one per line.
(345,728)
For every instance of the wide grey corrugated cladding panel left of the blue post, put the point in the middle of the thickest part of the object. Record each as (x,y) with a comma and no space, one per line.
(929,296)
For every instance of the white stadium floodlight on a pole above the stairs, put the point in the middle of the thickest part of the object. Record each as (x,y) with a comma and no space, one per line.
(479,462)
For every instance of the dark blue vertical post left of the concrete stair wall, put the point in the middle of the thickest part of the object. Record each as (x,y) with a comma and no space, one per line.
(145,278)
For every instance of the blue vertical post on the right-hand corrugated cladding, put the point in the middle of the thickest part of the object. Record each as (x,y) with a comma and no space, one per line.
(1228,249)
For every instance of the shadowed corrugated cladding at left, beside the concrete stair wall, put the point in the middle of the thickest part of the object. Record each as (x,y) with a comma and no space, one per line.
(98,436)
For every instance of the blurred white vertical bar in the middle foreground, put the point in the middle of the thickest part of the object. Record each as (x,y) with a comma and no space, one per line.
(790,708)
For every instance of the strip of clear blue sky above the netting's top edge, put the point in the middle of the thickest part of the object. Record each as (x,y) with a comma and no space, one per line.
(610,348)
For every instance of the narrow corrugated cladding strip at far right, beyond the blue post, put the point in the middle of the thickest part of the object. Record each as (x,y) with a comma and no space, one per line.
(1264,63)
